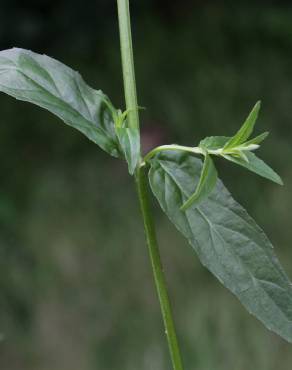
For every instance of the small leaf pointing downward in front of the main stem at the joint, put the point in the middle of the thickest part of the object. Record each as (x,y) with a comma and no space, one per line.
(129,139)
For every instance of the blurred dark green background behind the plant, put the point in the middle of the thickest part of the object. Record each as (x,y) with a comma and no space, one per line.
(76,290)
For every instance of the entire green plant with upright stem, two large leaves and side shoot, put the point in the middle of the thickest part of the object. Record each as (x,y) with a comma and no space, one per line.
(226,239)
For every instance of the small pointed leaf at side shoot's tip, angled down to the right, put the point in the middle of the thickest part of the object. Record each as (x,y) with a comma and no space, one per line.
(257,166)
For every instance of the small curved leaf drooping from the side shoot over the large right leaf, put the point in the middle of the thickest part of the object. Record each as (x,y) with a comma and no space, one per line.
(205,186)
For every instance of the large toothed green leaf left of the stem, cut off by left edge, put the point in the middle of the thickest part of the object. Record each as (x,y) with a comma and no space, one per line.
(44,81)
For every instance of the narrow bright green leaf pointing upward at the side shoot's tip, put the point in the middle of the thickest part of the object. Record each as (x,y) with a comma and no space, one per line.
(246,129)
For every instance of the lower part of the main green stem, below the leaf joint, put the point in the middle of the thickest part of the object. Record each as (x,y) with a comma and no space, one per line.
(158,269)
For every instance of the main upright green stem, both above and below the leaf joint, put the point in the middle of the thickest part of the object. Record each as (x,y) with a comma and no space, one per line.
(141,180)
